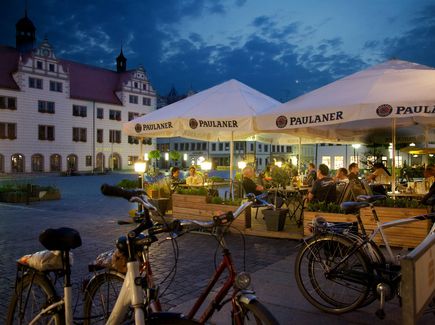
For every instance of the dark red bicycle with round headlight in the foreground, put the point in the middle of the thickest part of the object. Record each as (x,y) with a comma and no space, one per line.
(102,290)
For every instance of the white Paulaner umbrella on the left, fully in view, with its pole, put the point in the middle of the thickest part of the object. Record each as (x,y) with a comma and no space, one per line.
(222,113)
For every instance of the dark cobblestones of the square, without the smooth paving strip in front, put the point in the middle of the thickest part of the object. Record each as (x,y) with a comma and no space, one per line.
(84,208)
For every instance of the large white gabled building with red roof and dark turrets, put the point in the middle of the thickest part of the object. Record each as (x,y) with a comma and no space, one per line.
(59,115)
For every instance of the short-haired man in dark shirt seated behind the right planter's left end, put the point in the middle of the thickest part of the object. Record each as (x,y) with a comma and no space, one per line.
(323,189)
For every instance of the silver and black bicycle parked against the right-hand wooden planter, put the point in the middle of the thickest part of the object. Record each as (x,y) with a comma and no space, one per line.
(339,269)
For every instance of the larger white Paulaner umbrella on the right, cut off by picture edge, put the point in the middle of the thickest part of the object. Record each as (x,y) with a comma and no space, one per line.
(394,94)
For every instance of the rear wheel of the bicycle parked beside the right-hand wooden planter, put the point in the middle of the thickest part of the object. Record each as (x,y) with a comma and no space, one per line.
(338,291)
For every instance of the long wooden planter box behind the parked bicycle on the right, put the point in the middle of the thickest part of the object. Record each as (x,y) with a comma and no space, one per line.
(409,235)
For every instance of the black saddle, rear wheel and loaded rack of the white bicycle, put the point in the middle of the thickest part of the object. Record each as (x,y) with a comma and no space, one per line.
(35,300)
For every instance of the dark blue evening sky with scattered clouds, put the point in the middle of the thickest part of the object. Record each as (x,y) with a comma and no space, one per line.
(283,48)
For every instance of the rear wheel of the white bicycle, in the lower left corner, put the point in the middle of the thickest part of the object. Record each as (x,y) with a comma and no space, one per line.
(32,293)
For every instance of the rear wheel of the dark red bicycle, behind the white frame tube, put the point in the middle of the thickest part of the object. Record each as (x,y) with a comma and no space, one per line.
(100,297)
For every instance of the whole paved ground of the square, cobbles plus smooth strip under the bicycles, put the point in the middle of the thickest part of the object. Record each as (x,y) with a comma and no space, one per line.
(95,216)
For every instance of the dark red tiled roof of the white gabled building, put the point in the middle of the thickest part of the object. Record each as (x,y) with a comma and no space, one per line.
(86,82)
